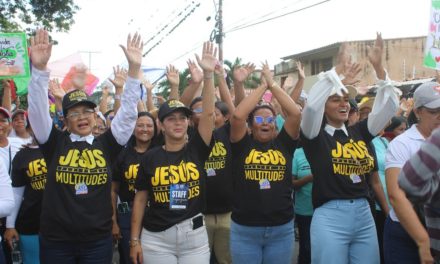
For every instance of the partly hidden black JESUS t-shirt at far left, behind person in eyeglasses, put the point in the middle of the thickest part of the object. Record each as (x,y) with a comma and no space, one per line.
(29,171)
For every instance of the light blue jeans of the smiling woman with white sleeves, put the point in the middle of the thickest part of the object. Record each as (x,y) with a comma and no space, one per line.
(343,231)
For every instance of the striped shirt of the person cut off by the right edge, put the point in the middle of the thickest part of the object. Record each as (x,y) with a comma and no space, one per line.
(420,178)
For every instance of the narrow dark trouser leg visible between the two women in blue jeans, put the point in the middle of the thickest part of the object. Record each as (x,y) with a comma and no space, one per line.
(303,222)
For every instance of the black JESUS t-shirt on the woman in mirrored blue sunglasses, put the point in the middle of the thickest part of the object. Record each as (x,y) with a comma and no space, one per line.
(262,181)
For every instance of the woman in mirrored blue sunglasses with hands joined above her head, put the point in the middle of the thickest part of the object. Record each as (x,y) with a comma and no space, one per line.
(262,215)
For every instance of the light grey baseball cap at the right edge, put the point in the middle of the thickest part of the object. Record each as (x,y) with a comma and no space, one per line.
(427,95)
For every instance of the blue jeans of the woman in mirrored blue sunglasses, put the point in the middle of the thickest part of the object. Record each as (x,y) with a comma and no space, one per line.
(255,244)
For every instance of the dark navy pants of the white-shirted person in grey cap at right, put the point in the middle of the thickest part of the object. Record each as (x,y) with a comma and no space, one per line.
(398,246)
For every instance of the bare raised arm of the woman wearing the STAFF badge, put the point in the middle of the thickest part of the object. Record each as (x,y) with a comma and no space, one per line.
(207,63)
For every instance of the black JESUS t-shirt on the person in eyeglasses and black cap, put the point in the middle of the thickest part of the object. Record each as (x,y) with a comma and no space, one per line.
(77,200)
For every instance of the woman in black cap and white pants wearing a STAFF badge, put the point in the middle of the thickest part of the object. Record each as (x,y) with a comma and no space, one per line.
(171,180)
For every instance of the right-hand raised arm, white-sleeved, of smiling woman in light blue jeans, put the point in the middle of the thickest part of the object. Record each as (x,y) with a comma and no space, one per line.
(386,102)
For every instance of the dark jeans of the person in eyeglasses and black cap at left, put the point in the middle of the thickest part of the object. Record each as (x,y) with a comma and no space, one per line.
(93,252)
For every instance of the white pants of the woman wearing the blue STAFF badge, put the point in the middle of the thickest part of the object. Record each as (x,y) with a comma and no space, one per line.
(178,244)
